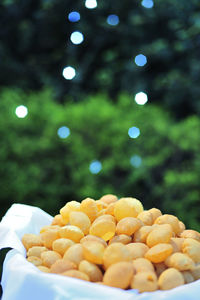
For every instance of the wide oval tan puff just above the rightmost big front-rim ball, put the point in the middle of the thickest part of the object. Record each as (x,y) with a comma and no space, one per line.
(179,261)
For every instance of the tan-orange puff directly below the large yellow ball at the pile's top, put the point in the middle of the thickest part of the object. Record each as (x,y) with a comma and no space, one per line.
(128,225)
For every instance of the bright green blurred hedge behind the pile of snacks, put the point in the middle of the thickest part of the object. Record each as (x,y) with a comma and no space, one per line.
(39,168)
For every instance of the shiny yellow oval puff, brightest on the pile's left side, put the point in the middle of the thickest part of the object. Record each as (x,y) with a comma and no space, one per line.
(71,232)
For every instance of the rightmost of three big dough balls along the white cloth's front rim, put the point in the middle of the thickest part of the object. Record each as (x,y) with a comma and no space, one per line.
(170,279)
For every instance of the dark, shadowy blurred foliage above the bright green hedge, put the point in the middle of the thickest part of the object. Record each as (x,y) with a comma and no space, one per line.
(35,47)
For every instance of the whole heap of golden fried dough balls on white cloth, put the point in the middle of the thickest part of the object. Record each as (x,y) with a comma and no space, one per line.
(117,243)
